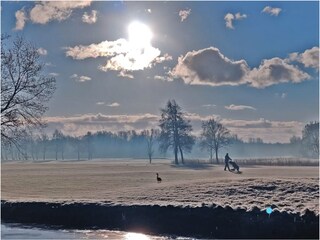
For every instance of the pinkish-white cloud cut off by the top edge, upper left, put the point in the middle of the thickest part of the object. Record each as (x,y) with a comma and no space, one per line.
(44,12)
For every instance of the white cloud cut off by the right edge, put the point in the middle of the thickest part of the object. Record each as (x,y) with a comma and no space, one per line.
(309,58)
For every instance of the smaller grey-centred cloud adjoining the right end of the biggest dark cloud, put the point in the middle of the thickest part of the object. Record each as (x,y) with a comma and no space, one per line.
(275,71)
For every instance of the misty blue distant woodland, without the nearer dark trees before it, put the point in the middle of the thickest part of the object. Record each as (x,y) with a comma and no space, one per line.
(130,144)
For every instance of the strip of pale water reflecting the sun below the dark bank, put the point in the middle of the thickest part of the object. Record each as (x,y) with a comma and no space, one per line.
(17,231)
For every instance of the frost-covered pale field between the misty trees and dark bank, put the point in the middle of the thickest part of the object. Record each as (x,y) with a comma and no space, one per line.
(133,182)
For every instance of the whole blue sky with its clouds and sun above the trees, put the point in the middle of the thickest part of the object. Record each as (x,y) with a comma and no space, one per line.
(254,66)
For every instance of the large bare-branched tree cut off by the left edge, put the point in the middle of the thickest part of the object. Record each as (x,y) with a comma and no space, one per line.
(25,89)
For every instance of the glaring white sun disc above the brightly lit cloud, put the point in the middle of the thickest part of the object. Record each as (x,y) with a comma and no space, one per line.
(140,35)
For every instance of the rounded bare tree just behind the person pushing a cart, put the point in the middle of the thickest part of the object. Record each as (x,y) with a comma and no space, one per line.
(213,137)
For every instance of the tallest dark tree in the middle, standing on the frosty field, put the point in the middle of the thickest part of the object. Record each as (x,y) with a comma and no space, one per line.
(175,131)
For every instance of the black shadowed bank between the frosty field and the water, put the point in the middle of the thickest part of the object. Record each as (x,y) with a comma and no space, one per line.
(200,222)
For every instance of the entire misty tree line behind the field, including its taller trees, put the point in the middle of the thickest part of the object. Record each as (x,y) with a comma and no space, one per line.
(174,134)
